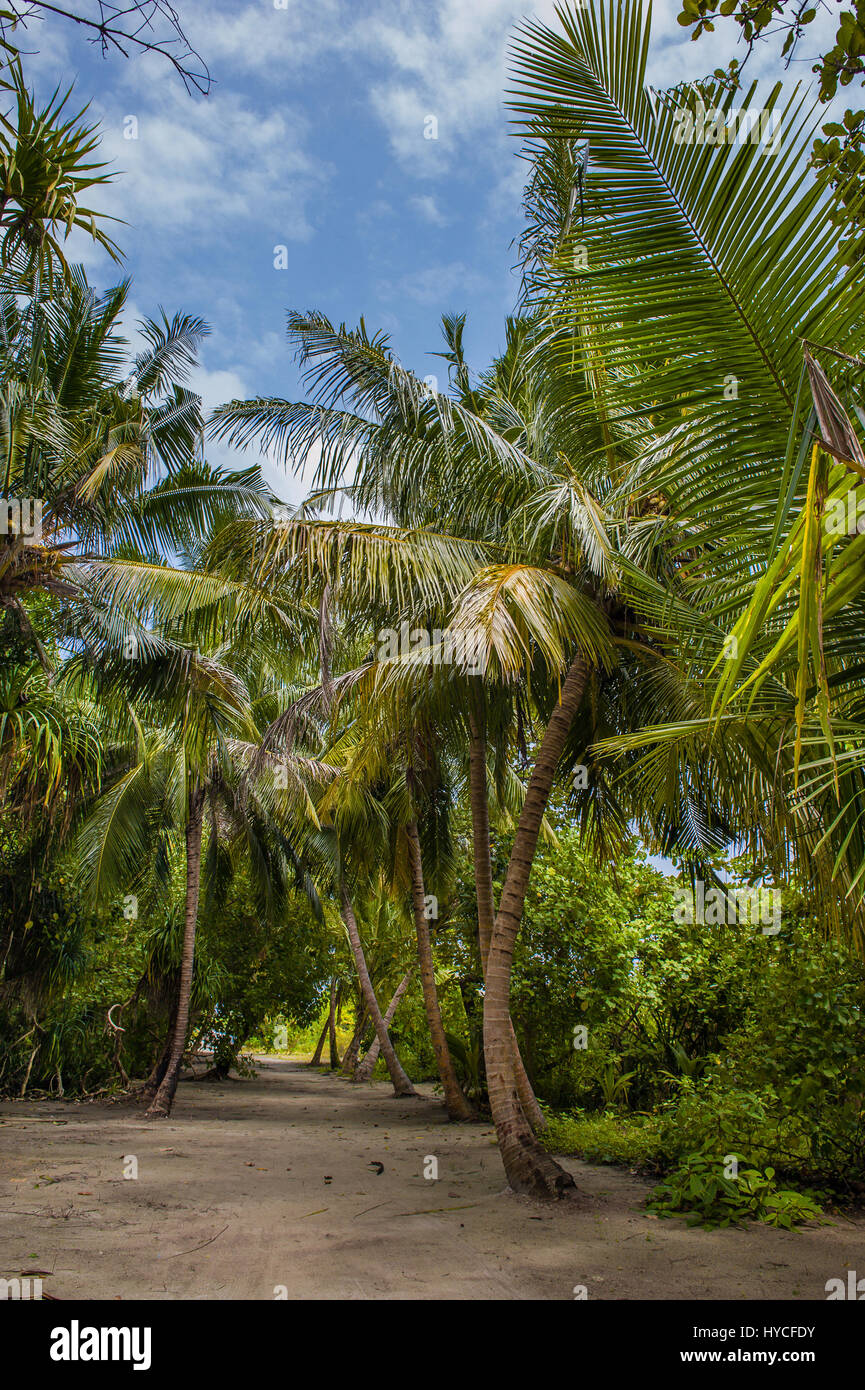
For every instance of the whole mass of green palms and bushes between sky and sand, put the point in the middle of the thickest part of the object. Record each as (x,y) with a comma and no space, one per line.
(383,787)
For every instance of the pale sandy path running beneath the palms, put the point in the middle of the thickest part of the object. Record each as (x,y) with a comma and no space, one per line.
(241,1172)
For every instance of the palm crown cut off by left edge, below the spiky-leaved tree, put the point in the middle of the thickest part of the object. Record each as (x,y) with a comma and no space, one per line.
(108,451)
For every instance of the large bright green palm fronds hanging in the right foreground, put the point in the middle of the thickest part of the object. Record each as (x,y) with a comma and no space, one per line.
(734,429)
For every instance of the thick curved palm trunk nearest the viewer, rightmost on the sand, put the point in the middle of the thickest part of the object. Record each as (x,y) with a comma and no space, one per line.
(528,1167)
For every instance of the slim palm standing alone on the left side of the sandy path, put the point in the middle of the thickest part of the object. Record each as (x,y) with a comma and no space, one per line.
(197,721)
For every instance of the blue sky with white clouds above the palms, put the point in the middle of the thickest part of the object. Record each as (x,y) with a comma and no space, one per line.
(314,140)
